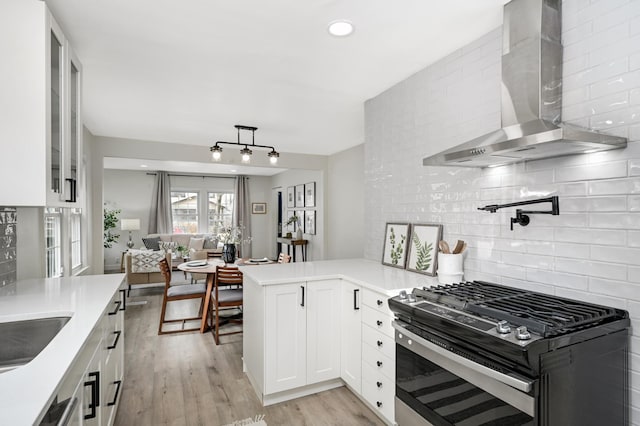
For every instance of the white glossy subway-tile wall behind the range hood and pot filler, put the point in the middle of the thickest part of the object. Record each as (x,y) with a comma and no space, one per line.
(590,251)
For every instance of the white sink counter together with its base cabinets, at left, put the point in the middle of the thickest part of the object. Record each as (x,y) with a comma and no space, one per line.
(91,341)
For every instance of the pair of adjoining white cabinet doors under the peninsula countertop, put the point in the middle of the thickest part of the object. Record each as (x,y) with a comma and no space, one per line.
(302,334)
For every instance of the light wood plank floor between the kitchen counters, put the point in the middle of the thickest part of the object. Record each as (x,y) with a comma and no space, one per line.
(185,379)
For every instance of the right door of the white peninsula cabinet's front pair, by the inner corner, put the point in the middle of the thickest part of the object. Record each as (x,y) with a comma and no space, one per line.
(323,330)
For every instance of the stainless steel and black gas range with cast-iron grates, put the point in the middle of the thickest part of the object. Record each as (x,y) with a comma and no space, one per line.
(478,353)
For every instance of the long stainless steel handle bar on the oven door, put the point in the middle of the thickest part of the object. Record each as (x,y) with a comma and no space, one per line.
(508,379)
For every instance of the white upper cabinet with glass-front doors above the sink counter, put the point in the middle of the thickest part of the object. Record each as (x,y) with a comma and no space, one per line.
(41,129)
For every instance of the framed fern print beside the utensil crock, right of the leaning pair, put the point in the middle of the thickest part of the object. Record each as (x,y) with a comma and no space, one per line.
(423,248)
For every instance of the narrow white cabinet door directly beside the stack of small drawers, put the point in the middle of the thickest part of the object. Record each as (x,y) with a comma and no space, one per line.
(351,336)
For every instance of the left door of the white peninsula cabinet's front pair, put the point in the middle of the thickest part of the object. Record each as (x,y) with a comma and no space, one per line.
(285,337)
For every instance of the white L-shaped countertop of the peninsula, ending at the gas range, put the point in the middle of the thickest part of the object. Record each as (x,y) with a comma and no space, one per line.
(367,273)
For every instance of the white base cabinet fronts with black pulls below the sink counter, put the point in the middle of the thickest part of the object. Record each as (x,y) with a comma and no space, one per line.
(88,395)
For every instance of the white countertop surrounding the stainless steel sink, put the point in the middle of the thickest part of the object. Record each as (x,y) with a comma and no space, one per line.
(27,390)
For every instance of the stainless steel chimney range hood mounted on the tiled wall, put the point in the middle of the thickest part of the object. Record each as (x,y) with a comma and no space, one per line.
(531,97)
